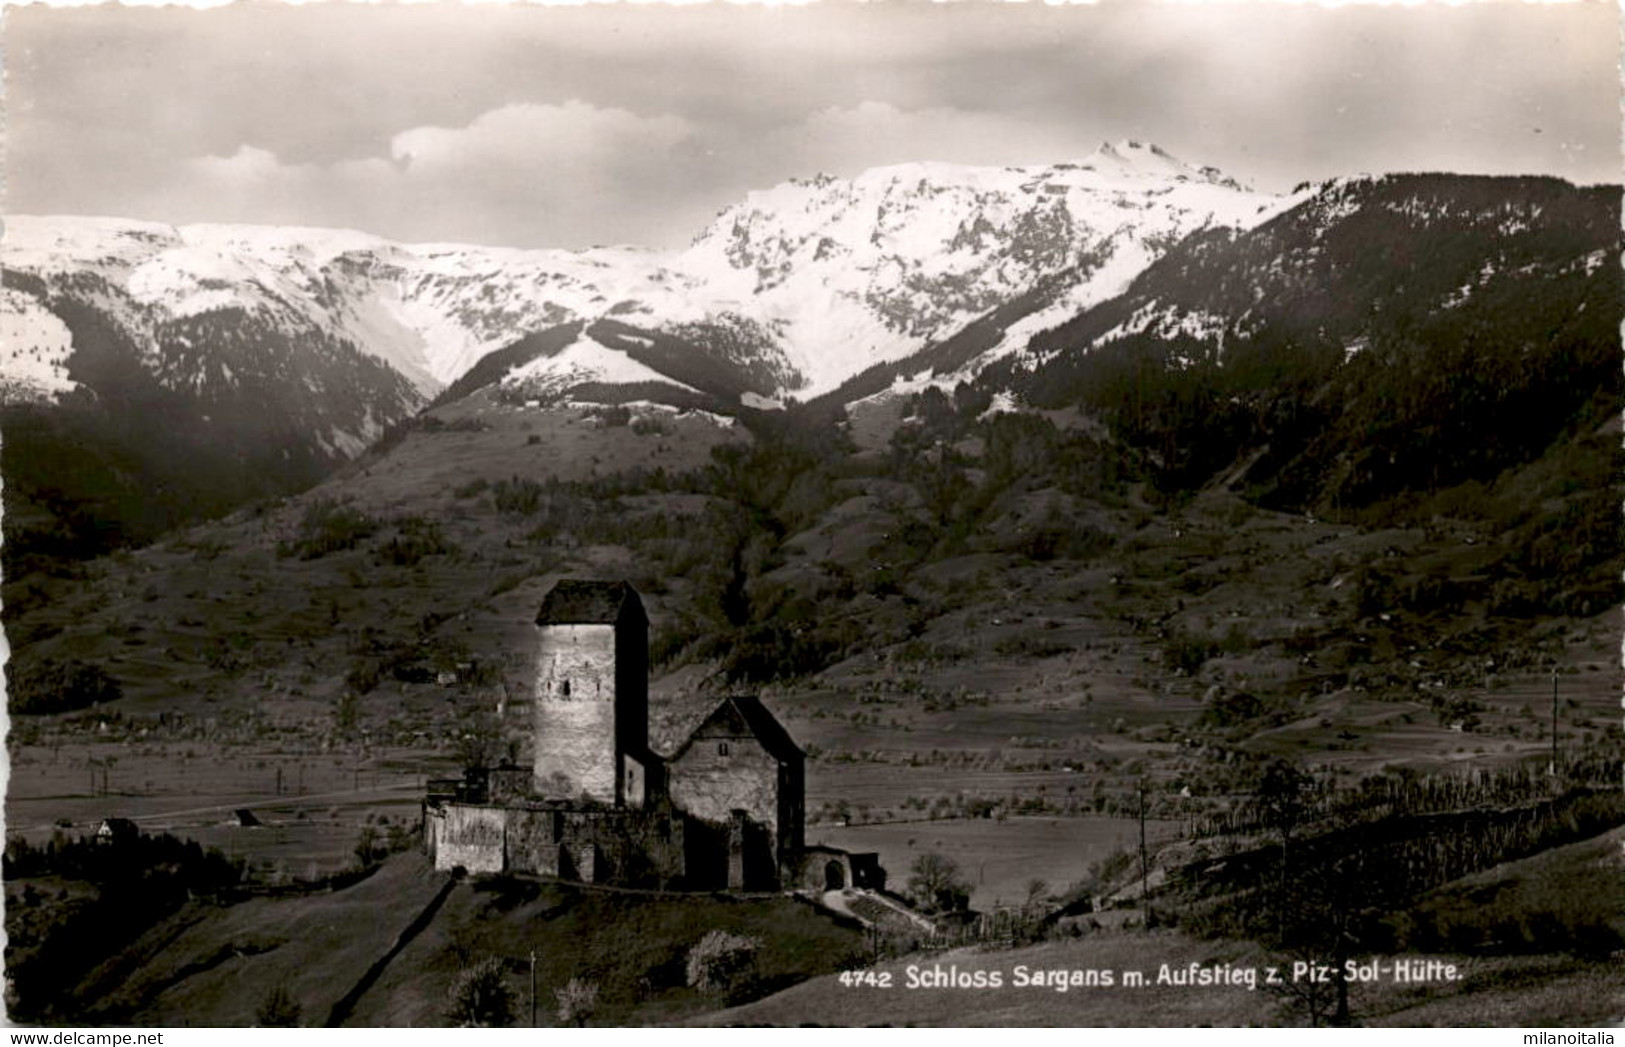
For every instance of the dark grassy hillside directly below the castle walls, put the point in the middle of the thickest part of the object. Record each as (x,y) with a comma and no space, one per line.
(215,967)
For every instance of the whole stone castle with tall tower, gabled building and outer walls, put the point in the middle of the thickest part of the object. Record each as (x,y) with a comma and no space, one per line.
(596,804)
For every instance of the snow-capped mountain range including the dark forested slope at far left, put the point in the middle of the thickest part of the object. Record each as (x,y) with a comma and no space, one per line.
(152,375)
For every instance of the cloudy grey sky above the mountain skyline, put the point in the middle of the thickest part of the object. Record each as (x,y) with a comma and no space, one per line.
(542,126)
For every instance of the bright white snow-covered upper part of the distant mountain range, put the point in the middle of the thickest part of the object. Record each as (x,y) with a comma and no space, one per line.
(795,290)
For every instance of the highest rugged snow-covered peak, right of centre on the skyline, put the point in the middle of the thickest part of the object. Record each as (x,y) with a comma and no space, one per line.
(854,274)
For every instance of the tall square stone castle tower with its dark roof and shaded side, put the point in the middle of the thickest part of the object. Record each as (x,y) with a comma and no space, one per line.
(591,711)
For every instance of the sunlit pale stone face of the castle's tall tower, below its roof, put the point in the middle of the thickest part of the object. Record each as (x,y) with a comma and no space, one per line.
(574,713)
